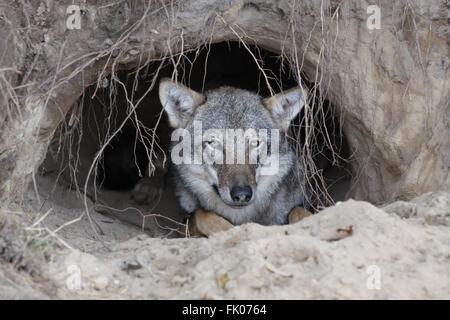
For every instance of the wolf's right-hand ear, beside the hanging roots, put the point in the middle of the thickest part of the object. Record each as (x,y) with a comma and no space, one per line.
(286,105)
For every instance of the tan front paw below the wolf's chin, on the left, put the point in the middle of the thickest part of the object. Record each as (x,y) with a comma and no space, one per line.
(203,223)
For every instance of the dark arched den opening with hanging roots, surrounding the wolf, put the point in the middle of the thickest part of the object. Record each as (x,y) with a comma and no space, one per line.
(118,132)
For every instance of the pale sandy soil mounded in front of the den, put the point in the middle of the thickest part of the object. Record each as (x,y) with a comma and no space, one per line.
(350,250)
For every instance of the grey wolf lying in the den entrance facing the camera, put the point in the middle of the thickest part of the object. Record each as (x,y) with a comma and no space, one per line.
(238,192)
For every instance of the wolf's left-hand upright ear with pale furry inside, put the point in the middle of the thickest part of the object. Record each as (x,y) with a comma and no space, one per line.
(178,101)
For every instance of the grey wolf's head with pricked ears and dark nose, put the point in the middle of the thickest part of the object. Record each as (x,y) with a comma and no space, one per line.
(224,177)
